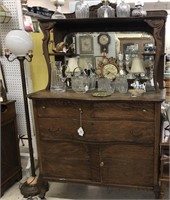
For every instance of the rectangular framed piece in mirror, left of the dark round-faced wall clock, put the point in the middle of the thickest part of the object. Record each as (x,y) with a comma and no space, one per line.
(86,44)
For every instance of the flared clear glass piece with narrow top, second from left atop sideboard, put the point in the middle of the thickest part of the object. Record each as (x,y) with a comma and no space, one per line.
(105,10)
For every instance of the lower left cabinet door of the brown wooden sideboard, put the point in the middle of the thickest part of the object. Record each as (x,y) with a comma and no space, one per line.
(62,160)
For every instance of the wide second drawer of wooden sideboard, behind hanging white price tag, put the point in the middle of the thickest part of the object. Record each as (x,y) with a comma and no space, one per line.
(96,131)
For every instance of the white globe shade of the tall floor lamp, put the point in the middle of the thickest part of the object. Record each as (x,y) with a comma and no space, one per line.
(19,42)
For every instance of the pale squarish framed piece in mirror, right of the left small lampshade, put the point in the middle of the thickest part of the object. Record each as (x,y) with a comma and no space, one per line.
(85,61)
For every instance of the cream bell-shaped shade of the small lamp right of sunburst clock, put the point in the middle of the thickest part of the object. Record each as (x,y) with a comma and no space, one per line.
(137,65)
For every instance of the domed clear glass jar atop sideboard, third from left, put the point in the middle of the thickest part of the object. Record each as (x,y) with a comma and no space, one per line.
(123,9)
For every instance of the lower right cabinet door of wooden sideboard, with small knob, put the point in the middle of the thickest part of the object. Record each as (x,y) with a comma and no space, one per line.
(127,164)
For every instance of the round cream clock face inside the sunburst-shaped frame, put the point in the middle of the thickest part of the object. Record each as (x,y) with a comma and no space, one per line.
(110,71)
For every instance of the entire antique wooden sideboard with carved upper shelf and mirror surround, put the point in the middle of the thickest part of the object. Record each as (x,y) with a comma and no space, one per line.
(120,145)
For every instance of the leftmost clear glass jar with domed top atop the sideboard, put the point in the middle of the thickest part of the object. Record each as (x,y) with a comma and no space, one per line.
(82,9)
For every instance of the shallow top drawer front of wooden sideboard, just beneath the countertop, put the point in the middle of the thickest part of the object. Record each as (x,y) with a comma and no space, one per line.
(99,110)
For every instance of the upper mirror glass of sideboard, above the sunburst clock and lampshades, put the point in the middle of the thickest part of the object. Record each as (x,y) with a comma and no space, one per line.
(92,46)
